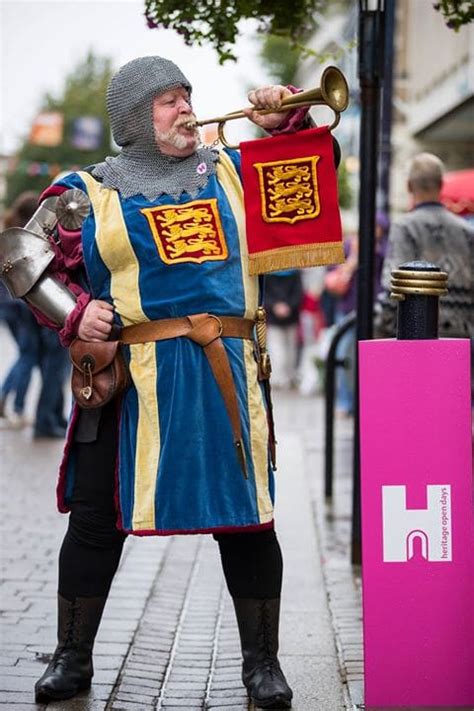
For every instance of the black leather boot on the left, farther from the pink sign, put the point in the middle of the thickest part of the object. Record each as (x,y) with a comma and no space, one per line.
(70,669)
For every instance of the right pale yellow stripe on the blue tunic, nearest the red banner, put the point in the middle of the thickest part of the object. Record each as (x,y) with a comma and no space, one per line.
(230,182)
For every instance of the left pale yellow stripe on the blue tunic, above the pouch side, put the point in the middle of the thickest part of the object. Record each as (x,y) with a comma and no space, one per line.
(116,251)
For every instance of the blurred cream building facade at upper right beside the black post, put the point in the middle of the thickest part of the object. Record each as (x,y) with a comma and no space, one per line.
(433,92)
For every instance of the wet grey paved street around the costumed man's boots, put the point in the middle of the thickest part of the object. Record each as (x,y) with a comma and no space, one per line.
(168,638)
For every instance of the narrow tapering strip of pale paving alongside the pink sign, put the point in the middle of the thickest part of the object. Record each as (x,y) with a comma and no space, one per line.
(342,581)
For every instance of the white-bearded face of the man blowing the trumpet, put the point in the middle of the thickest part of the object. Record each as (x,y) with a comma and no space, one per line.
(172,114)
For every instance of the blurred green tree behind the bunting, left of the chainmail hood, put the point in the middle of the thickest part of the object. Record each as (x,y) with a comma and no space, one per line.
(83,95)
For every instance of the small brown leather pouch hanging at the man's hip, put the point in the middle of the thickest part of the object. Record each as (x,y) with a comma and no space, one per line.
(99,372)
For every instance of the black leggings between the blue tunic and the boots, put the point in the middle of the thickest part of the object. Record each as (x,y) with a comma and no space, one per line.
(92,546)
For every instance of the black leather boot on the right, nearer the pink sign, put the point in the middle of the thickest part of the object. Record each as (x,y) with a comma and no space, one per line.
(258,622)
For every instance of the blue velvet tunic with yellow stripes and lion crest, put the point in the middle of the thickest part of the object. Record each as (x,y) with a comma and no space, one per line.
(177,467)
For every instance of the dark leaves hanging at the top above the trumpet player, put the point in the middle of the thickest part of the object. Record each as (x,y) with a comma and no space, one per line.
(216,22)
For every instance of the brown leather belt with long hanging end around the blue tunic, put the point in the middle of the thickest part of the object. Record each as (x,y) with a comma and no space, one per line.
(207,330)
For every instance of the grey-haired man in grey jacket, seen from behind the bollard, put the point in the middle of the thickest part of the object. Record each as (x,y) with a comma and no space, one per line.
(431,233)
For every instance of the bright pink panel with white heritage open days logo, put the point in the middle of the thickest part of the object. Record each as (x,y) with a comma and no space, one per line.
(417,523)
